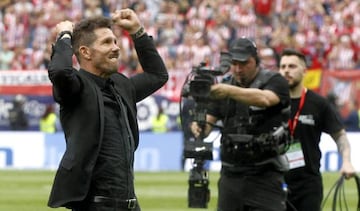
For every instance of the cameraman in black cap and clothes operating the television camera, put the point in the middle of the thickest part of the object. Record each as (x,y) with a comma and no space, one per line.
(252,104)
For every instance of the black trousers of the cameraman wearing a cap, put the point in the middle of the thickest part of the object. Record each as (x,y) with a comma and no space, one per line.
(260,192)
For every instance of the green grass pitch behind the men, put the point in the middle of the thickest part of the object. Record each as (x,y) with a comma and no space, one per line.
(157,191)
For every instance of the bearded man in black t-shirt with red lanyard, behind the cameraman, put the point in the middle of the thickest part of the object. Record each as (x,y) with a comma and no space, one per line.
(311,114)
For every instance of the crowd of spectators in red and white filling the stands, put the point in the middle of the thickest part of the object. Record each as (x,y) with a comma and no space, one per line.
(188,32)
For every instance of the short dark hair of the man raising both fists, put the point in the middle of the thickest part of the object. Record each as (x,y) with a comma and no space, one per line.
(83,33)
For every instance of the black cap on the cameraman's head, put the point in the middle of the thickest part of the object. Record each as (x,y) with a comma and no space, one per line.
(242,49)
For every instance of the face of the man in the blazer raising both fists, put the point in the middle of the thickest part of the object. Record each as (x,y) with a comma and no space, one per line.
(105,52)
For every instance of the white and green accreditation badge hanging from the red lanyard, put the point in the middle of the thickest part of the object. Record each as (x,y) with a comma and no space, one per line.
(295,155)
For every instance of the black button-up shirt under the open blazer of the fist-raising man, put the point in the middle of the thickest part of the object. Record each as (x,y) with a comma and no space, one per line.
(113,173)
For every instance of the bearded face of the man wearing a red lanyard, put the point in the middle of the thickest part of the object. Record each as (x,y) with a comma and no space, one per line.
(293,70)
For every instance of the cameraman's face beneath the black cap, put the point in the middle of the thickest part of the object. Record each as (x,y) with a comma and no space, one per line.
(244,72)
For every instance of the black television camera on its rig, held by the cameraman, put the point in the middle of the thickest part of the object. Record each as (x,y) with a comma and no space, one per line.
(196,90)
